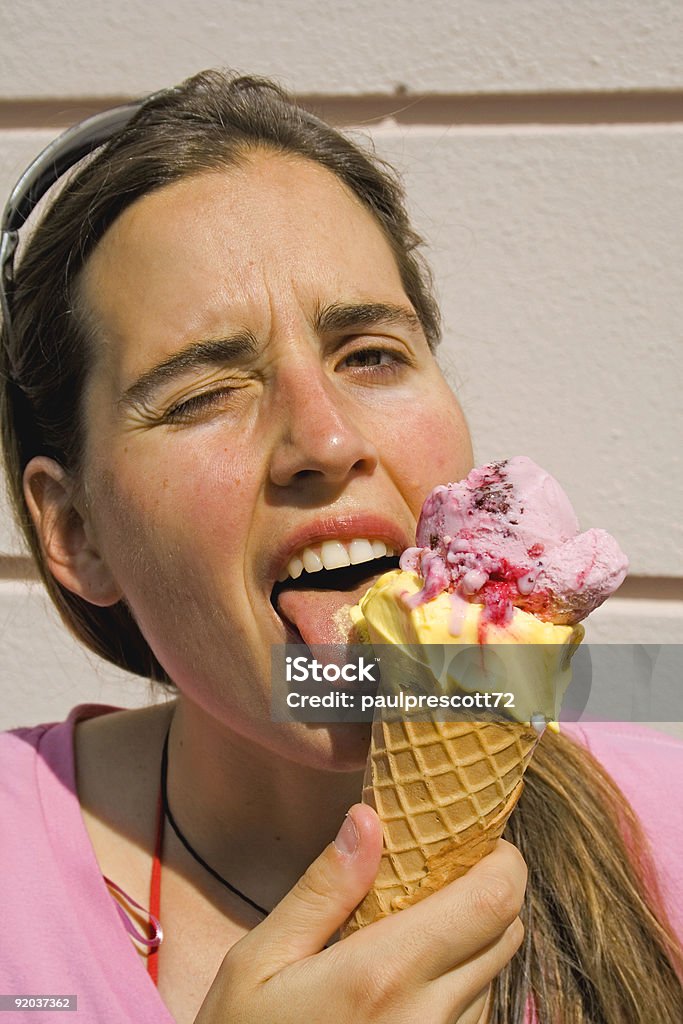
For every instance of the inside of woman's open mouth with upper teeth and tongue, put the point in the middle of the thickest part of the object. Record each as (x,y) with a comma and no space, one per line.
(320,584)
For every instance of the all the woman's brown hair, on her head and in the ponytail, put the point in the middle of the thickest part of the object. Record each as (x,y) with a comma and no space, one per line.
(599,948)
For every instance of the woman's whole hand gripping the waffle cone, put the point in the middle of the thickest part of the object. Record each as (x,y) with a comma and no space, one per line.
(433,963)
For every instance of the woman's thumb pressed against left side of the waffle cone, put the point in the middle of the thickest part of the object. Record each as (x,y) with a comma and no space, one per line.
(325,897)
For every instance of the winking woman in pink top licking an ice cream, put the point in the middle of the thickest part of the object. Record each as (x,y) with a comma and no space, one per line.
(219,353)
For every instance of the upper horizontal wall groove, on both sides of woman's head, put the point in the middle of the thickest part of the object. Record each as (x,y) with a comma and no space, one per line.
(406,109)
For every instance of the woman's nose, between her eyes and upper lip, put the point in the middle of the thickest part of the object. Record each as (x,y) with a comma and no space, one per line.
(319,437)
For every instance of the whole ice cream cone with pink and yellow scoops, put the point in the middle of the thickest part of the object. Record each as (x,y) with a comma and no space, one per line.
(488,602)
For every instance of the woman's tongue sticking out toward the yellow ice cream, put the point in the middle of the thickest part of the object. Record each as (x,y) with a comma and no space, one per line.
(322,617)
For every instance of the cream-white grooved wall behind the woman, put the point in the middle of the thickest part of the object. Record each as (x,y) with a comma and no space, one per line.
(542,146)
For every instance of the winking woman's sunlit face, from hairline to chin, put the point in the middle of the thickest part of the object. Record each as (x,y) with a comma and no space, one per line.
(261,387)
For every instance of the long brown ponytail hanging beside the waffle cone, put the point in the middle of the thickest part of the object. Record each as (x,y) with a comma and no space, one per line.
(599,948)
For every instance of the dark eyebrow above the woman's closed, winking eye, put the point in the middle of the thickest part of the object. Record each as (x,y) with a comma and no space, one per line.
(198,356)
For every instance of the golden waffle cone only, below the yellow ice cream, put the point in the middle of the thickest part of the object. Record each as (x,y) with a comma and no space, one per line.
(444,792)
